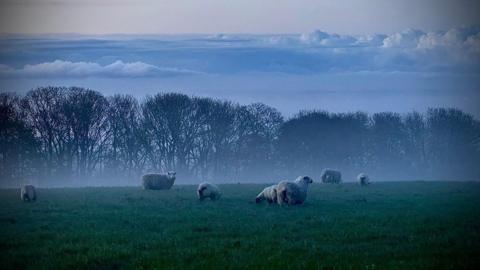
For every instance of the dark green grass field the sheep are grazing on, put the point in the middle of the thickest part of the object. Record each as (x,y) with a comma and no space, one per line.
(411,225)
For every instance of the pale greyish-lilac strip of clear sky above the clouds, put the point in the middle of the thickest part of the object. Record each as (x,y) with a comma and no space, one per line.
(233,16)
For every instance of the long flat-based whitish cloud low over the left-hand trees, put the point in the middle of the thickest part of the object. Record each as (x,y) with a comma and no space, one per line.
(60,68)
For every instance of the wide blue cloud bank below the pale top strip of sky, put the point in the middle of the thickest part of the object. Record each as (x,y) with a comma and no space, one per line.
(454,51)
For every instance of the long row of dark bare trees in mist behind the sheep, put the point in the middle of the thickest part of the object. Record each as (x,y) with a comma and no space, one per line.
(77,136)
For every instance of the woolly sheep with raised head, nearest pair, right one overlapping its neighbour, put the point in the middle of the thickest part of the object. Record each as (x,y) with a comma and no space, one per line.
(293,192)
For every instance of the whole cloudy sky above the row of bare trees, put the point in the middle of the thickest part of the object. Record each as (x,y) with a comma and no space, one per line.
(343,55)
